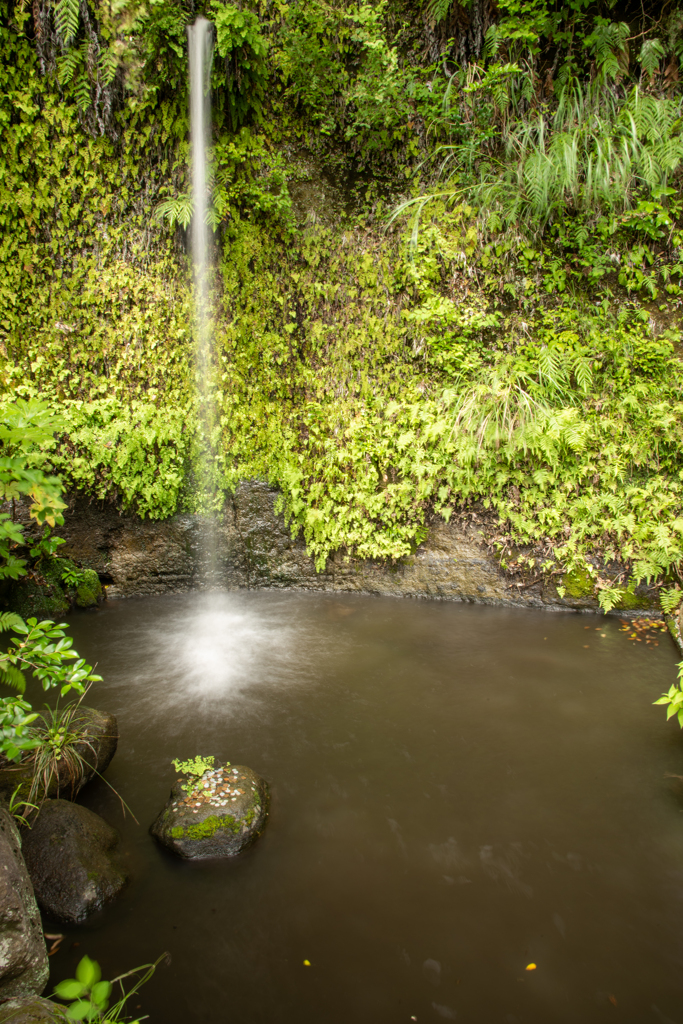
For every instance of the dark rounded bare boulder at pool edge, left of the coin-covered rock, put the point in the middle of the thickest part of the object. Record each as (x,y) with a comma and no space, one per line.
(70,855)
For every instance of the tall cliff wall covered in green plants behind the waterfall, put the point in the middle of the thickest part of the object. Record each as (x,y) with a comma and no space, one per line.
(389,379)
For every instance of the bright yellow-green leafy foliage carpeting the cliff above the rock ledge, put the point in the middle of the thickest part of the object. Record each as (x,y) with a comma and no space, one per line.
(372,380)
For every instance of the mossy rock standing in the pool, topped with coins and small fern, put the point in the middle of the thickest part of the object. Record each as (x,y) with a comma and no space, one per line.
(225,812)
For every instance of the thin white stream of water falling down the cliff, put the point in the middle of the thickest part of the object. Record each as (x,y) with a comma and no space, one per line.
(201,52)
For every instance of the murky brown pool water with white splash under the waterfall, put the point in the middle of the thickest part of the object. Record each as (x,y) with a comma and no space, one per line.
(457,792)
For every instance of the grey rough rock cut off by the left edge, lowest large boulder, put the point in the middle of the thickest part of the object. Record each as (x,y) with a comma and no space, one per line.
(24,969)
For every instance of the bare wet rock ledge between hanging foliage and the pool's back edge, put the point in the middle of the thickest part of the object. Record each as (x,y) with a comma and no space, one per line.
(136,558)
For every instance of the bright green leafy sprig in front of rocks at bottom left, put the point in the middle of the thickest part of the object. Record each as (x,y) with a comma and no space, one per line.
(90,997)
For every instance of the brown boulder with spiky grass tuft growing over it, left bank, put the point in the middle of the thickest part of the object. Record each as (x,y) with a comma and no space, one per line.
(100,738)
